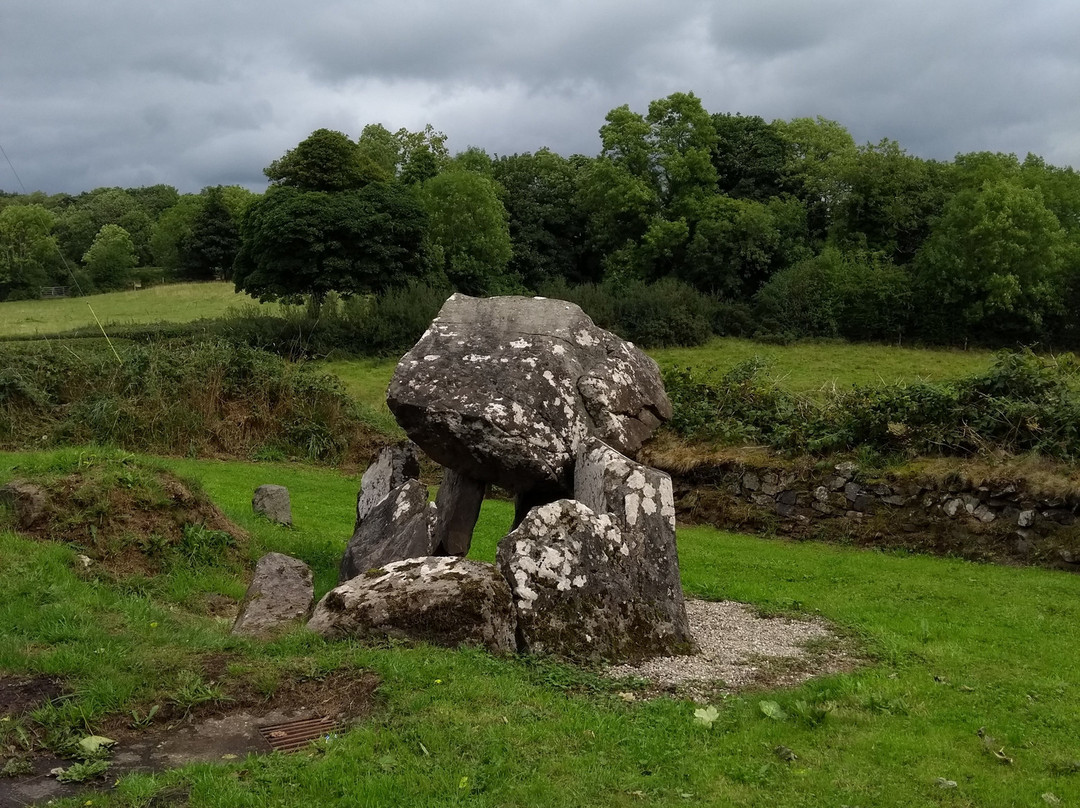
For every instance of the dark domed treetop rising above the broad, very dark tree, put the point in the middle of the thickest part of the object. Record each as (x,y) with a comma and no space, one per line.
(325,161)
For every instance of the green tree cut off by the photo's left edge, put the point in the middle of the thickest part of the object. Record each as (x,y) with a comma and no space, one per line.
(28,250)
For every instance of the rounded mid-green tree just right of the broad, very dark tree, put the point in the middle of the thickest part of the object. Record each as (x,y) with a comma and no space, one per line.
(469,231)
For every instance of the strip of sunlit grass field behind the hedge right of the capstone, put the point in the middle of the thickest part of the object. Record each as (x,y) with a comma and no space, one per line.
(814,368)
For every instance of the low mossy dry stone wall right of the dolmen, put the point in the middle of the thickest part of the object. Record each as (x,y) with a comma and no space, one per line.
(1003,520)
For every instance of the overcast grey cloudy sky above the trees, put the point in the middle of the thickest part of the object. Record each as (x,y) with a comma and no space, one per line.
(208,92)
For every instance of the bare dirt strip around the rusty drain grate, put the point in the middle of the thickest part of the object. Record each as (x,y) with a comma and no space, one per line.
(210,733)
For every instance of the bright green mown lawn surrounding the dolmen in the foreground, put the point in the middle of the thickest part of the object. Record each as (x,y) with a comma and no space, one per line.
(952,648)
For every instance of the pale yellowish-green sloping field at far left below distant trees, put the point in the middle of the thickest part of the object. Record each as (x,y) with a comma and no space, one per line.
(180,303)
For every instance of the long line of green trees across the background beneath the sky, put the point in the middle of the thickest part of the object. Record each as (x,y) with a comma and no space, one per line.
(787,227)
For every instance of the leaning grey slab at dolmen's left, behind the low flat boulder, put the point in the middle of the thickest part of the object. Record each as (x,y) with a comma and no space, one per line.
(399,528)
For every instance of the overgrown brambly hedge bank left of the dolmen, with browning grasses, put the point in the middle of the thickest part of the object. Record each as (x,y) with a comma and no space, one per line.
(173,398)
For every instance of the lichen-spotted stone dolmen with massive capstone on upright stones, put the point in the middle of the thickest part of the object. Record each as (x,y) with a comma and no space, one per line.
(531,396)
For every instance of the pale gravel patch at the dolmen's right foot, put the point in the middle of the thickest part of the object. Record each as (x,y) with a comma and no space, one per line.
(739,650)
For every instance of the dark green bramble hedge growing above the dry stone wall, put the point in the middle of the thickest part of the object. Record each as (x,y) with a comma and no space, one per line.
(1023,403)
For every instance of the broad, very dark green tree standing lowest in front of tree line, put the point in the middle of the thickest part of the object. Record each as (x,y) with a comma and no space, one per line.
(296,243)
